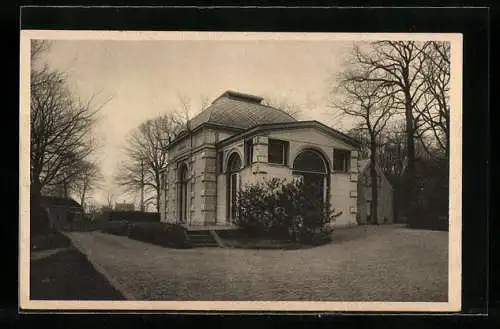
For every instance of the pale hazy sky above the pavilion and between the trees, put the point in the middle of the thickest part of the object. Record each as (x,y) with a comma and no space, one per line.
(141,79)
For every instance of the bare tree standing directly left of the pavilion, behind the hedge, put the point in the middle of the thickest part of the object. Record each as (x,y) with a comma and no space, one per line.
(146,158)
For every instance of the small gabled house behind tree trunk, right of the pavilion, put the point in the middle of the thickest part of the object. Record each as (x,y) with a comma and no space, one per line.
(385,206)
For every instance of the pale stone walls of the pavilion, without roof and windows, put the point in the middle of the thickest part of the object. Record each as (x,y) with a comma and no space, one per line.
(207,192)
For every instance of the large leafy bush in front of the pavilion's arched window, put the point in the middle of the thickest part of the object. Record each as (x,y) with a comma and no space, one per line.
(285,209)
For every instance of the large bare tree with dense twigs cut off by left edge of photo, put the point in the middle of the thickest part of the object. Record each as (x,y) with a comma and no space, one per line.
(61,127)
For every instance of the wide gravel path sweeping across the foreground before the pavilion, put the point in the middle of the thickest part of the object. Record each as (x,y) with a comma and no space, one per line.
(386,263)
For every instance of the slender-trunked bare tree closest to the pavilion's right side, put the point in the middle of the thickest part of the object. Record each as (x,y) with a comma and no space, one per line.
(371,103)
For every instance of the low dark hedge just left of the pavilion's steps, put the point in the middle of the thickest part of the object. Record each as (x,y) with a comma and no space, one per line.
(162,234)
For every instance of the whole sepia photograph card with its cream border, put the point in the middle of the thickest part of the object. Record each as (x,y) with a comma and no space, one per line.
(258,171)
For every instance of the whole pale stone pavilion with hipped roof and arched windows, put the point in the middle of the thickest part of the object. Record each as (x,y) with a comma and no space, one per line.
(238,140)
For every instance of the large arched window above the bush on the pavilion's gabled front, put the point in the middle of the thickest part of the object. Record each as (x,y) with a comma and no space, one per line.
(313,168)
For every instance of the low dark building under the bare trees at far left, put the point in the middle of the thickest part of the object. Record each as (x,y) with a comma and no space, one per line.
(62,212)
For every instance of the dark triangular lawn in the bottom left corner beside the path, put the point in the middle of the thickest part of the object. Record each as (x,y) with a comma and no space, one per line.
(67,275)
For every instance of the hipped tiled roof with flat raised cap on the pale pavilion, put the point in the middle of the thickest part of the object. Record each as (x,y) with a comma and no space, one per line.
(237,110)
